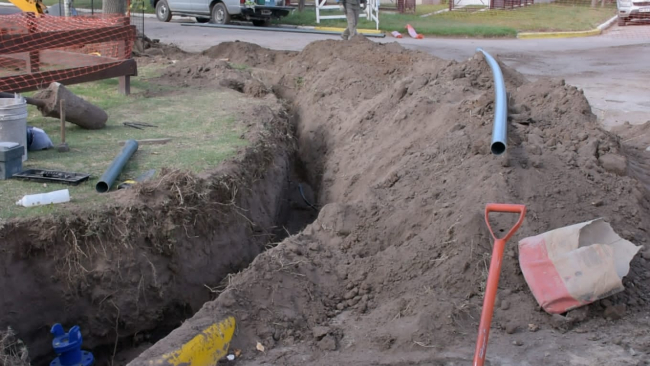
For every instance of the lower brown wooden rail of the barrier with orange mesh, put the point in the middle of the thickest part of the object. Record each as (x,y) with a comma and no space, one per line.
(29,82)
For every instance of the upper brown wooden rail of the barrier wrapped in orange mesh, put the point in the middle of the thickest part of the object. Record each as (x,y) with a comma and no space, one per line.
(77,37)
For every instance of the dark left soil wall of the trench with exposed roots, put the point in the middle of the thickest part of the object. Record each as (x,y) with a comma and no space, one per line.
(132,271)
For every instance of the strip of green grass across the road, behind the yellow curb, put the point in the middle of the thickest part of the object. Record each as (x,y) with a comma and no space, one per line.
(495,23)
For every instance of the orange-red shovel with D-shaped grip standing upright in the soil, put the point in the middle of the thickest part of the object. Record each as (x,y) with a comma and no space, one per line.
(493,276)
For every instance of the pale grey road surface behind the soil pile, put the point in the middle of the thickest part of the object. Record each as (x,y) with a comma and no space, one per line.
(610,68)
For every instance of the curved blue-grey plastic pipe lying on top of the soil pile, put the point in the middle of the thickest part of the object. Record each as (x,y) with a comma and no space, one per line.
(500,128)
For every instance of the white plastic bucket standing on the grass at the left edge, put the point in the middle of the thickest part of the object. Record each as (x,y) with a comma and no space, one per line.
(13,121)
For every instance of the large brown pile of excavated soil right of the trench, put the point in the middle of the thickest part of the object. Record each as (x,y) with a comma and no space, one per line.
(396,144)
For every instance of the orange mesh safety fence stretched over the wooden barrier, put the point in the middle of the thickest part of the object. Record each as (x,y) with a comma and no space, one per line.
(35,51)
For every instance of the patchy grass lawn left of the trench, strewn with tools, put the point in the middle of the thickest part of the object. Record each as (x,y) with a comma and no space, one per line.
(201,136)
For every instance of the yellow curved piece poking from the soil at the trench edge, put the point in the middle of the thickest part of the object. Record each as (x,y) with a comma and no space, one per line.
(203,350)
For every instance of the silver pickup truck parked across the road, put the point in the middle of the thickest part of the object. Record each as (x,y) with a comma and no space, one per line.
(260,12)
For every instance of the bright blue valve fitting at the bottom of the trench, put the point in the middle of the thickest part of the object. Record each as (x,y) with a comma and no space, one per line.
(68,348)
